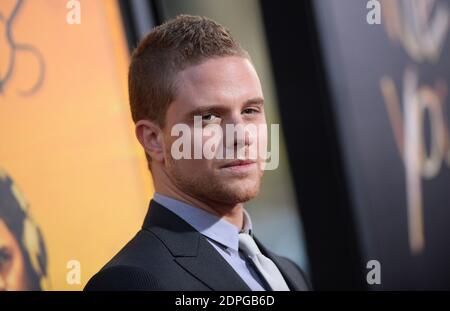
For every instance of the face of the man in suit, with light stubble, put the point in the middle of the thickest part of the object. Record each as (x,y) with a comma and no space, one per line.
(224,90)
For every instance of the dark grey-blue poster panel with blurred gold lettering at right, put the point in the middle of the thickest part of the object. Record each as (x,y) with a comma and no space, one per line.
(379,75)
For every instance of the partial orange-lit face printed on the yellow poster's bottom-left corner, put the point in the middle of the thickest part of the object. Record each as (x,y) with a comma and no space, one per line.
(13,275)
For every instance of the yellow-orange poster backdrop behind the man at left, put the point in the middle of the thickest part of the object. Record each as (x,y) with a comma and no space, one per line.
(74,186)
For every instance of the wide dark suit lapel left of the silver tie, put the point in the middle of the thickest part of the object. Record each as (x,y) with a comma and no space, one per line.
(191,250)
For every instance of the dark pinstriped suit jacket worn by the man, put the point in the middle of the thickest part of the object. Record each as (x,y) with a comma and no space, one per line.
(169,254)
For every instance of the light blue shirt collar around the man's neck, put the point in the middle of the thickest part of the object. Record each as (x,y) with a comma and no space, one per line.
(209,225)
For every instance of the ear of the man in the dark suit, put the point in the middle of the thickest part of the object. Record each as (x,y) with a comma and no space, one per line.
(149,135)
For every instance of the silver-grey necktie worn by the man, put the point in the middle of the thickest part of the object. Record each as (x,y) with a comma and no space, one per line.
(265,266)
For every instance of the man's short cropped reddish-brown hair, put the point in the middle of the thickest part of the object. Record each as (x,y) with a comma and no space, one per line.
(168,49)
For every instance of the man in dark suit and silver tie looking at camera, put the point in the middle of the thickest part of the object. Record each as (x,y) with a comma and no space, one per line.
(196,235)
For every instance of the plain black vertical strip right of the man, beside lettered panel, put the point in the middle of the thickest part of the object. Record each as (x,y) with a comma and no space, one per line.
(313,145)
